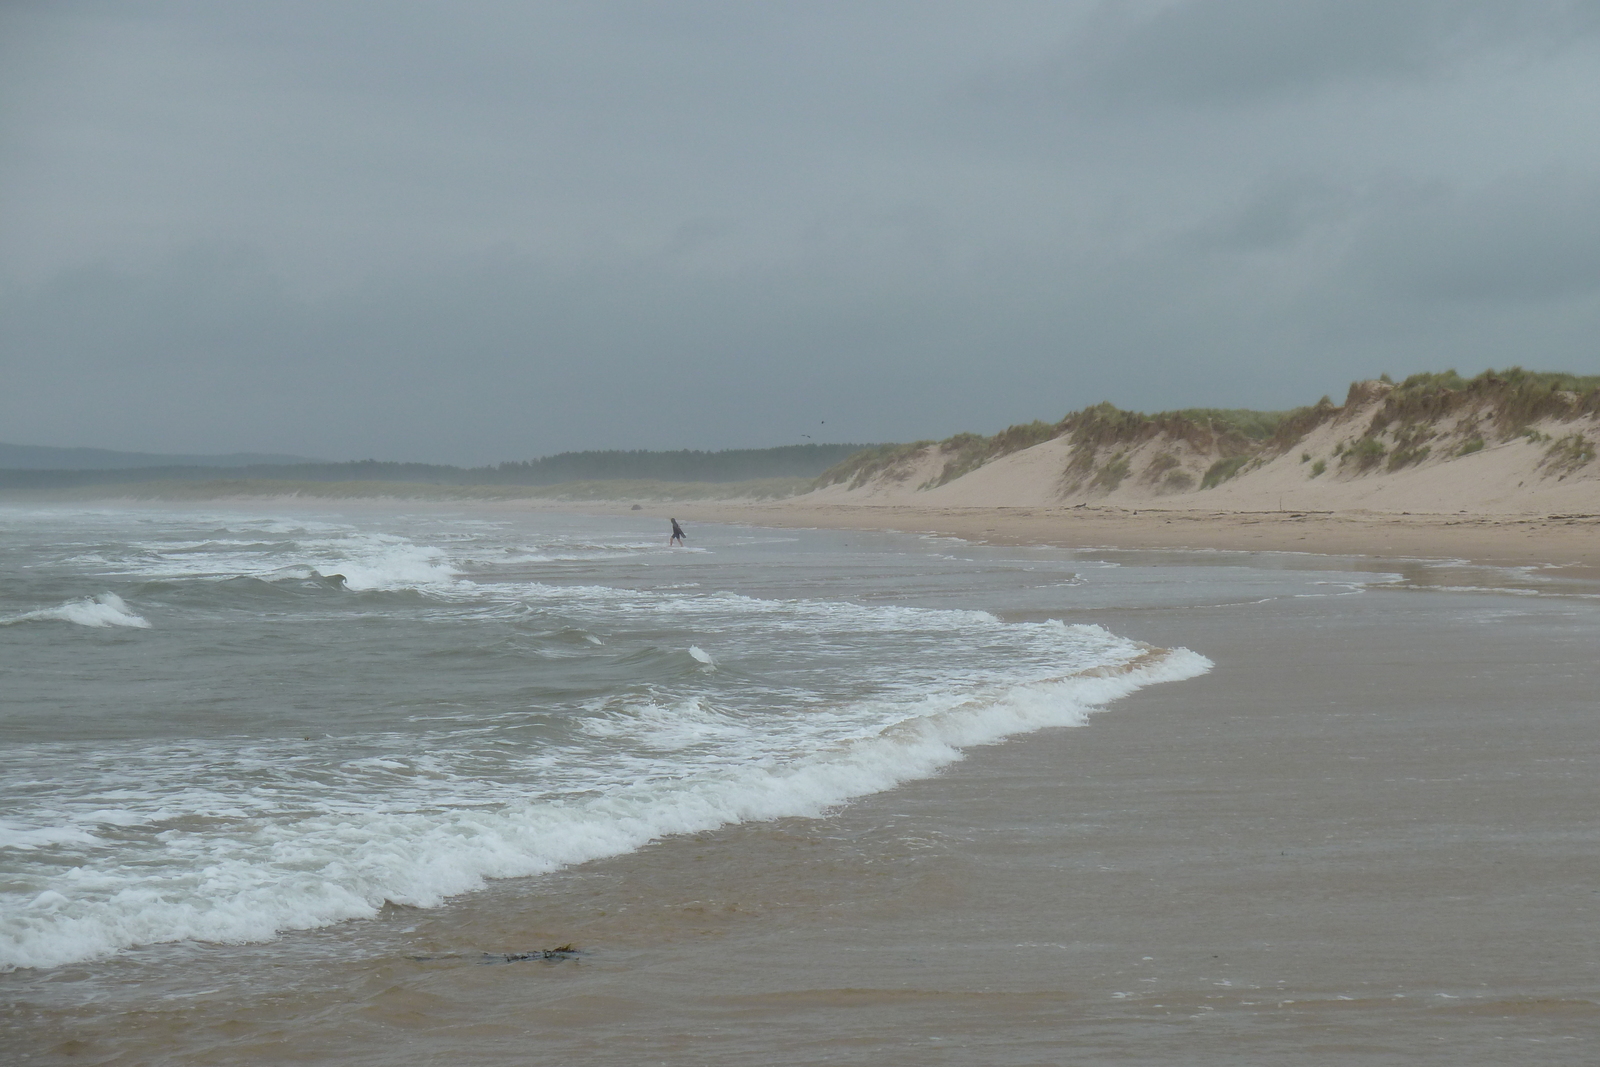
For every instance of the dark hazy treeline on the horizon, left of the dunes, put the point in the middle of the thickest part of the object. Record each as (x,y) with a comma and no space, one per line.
(735,465)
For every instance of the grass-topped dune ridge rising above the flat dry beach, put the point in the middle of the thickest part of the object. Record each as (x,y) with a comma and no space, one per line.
(1513,442)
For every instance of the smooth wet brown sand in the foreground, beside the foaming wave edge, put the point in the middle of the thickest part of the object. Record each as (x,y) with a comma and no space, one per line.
(1369,836)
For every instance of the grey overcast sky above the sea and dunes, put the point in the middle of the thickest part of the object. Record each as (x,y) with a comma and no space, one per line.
(478,231)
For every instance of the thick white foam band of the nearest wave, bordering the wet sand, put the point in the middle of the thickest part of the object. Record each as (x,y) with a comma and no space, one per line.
(345,865)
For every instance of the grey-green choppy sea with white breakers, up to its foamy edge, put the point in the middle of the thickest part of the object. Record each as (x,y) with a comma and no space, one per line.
(225,725)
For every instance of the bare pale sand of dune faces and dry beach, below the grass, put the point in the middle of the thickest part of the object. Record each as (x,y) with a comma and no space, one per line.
(1529,500)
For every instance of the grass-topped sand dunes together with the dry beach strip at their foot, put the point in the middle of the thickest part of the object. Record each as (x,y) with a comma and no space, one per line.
(1497,471)
